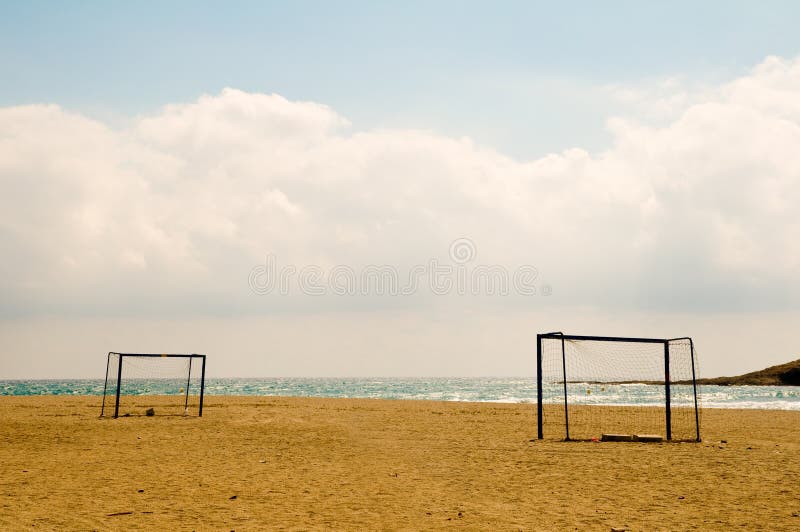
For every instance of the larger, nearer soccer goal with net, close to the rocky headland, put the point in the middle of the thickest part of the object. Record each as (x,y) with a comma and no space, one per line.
(616,388)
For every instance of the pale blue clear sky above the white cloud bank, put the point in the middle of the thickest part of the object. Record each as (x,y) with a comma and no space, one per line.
(520,76)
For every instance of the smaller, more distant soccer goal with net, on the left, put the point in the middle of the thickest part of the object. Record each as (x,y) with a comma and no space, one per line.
(153,384)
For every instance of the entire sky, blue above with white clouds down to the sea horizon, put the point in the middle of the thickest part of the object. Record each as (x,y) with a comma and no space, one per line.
(401,189)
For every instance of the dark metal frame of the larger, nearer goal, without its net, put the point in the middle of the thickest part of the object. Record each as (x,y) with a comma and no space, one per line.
(667,383)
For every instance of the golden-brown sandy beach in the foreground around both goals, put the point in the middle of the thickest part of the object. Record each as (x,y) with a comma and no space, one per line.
(267,463)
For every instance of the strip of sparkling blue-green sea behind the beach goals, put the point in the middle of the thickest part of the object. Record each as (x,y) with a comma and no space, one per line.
(490,390)
